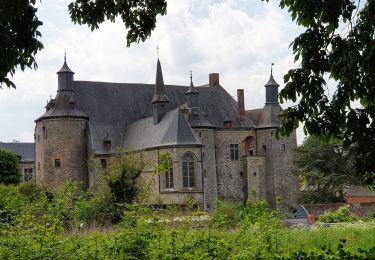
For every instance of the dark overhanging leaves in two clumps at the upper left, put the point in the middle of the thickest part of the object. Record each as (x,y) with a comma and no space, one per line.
(19,24)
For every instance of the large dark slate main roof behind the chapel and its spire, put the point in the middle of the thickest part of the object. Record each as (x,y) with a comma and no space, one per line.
(112,107)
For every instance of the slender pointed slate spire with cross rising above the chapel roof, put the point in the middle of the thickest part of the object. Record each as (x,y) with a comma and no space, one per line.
(160,99)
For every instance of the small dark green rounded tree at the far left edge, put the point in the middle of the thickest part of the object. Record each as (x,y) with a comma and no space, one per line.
(9,167)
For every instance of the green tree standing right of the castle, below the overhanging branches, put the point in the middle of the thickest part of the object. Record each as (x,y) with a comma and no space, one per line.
(326,169)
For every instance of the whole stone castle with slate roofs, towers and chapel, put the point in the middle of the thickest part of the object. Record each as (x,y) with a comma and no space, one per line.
(219,149)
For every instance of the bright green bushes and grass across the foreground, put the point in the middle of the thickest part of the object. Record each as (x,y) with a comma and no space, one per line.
(55,224)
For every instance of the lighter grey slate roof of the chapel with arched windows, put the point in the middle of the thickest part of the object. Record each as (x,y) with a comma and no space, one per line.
(172,130)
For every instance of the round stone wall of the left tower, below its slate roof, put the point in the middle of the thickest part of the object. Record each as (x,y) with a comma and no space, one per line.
(61,139)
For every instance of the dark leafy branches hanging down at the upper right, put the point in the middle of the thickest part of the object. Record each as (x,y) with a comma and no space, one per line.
(338,43)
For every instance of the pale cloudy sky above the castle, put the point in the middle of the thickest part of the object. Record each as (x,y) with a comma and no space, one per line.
(239,39)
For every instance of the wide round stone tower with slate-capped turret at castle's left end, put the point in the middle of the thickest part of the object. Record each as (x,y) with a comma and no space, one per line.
(61,136)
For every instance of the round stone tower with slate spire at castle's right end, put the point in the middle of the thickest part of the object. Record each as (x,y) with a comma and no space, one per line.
(274,156)
